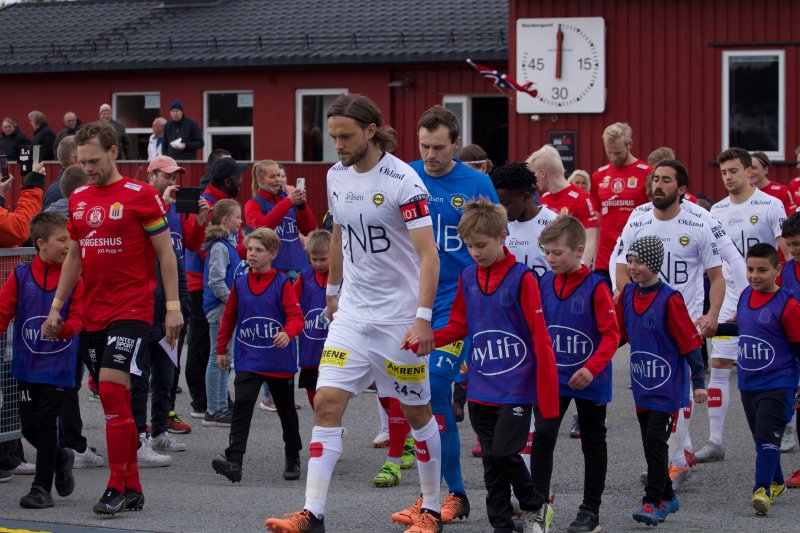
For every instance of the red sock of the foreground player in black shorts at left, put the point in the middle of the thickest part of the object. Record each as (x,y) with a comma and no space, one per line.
(117,410)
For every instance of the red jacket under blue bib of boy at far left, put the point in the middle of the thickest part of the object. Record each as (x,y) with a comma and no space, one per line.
(46,276)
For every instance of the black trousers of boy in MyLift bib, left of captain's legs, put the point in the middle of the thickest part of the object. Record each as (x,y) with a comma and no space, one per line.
(247,387)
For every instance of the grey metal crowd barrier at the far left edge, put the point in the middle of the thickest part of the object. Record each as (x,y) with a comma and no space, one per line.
(9,396)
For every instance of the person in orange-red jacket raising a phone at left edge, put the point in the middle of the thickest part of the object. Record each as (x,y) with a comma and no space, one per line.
(14,224)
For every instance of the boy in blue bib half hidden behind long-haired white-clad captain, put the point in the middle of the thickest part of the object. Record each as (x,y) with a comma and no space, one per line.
(310,289)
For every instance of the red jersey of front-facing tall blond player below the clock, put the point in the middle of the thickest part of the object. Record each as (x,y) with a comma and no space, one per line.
(617,191)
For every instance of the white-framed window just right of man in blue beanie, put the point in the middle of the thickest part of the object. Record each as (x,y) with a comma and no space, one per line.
(229,123)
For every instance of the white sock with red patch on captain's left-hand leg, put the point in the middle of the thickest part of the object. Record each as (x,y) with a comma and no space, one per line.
(325,450)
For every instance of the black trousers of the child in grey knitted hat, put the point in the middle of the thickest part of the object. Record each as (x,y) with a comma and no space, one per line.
(656,427)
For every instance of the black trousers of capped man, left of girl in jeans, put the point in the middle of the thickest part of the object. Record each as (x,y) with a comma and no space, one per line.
(198,352)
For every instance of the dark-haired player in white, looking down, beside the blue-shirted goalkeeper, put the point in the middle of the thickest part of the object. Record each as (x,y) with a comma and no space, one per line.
(515,184)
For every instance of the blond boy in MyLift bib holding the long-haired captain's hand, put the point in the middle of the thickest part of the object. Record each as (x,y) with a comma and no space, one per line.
(498,305)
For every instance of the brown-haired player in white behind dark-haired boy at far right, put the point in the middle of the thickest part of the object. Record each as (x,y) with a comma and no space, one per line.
(749,216)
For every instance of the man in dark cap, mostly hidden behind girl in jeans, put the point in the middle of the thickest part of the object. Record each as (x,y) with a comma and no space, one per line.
(224,180)
